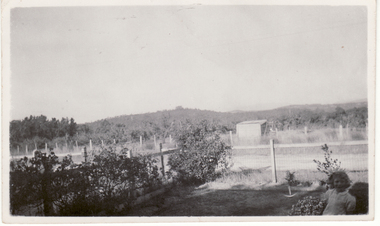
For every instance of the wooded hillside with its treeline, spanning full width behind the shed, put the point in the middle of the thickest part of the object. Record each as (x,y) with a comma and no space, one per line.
(38,130)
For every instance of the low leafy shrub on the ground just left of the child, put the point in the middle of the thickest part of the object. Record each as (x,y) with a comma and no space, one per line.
(308,206)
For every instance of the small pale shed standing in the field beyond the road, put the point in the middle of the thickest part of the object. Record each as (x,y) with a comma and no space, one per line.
(250,129)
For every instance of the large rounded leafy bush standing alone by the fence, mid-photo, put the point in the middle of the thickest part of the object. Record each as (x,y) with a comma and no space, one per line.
(203,152)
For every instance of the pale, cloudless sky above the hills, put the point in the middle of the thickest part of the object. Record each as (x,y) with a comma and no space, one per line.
(91,63)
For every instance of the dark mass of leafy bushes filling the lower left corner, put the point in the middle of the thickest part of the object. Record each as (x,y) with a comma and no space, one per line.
(67,189)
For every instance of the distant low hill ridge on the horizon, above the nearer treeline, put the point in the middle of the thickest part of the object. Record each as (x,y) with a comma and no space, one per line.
(229,119)
